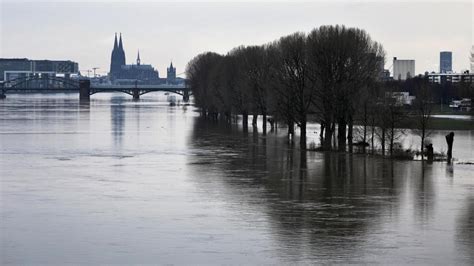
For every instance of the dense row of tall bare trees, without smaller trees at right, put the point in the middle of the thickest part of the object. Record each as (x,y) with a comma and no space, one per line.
(330,73)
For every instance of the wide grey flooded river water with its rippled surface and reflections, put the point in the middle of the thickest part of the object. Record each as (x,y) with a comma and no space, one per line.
(117,181)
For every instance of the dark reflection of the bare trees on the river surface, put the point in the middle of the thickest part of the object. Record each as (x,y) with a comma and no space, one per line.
(319,205)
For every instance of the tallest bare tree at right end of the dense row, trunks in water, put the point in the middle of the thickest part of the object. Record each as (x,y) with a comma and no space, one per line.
(344,60)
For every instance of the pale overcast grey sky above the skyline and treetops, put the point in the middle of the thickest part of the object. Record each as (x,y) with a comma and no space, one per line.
(164,31)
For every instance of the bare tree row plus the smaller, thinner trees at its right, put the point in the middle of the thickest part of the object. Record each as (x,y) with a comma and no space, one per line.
(331,75)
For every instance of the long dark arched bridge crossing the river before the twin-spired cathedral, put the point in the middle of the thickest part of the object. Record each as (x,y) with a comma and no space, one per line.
(50,84)
